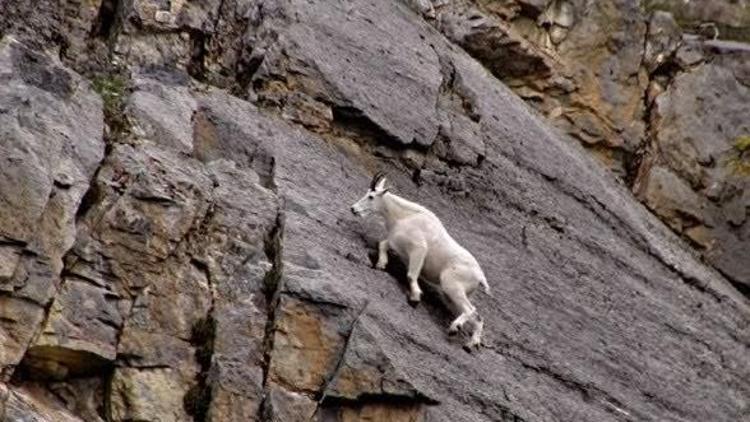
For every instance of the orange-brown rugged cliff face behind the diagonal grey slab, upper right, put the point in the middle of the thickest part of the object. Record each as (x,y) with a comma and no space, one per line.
(618,79)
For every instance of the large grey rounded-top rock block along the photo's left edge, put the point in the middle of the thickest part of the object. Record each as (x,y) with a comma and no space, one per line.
(50,155)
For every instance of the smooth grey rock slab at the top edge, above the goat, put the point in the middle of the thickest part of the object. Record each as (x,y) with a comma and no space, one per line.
(366,78)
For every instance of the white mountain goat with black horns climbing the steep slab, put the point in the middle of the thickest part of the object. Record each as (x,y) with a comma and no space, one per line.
(420,240)
